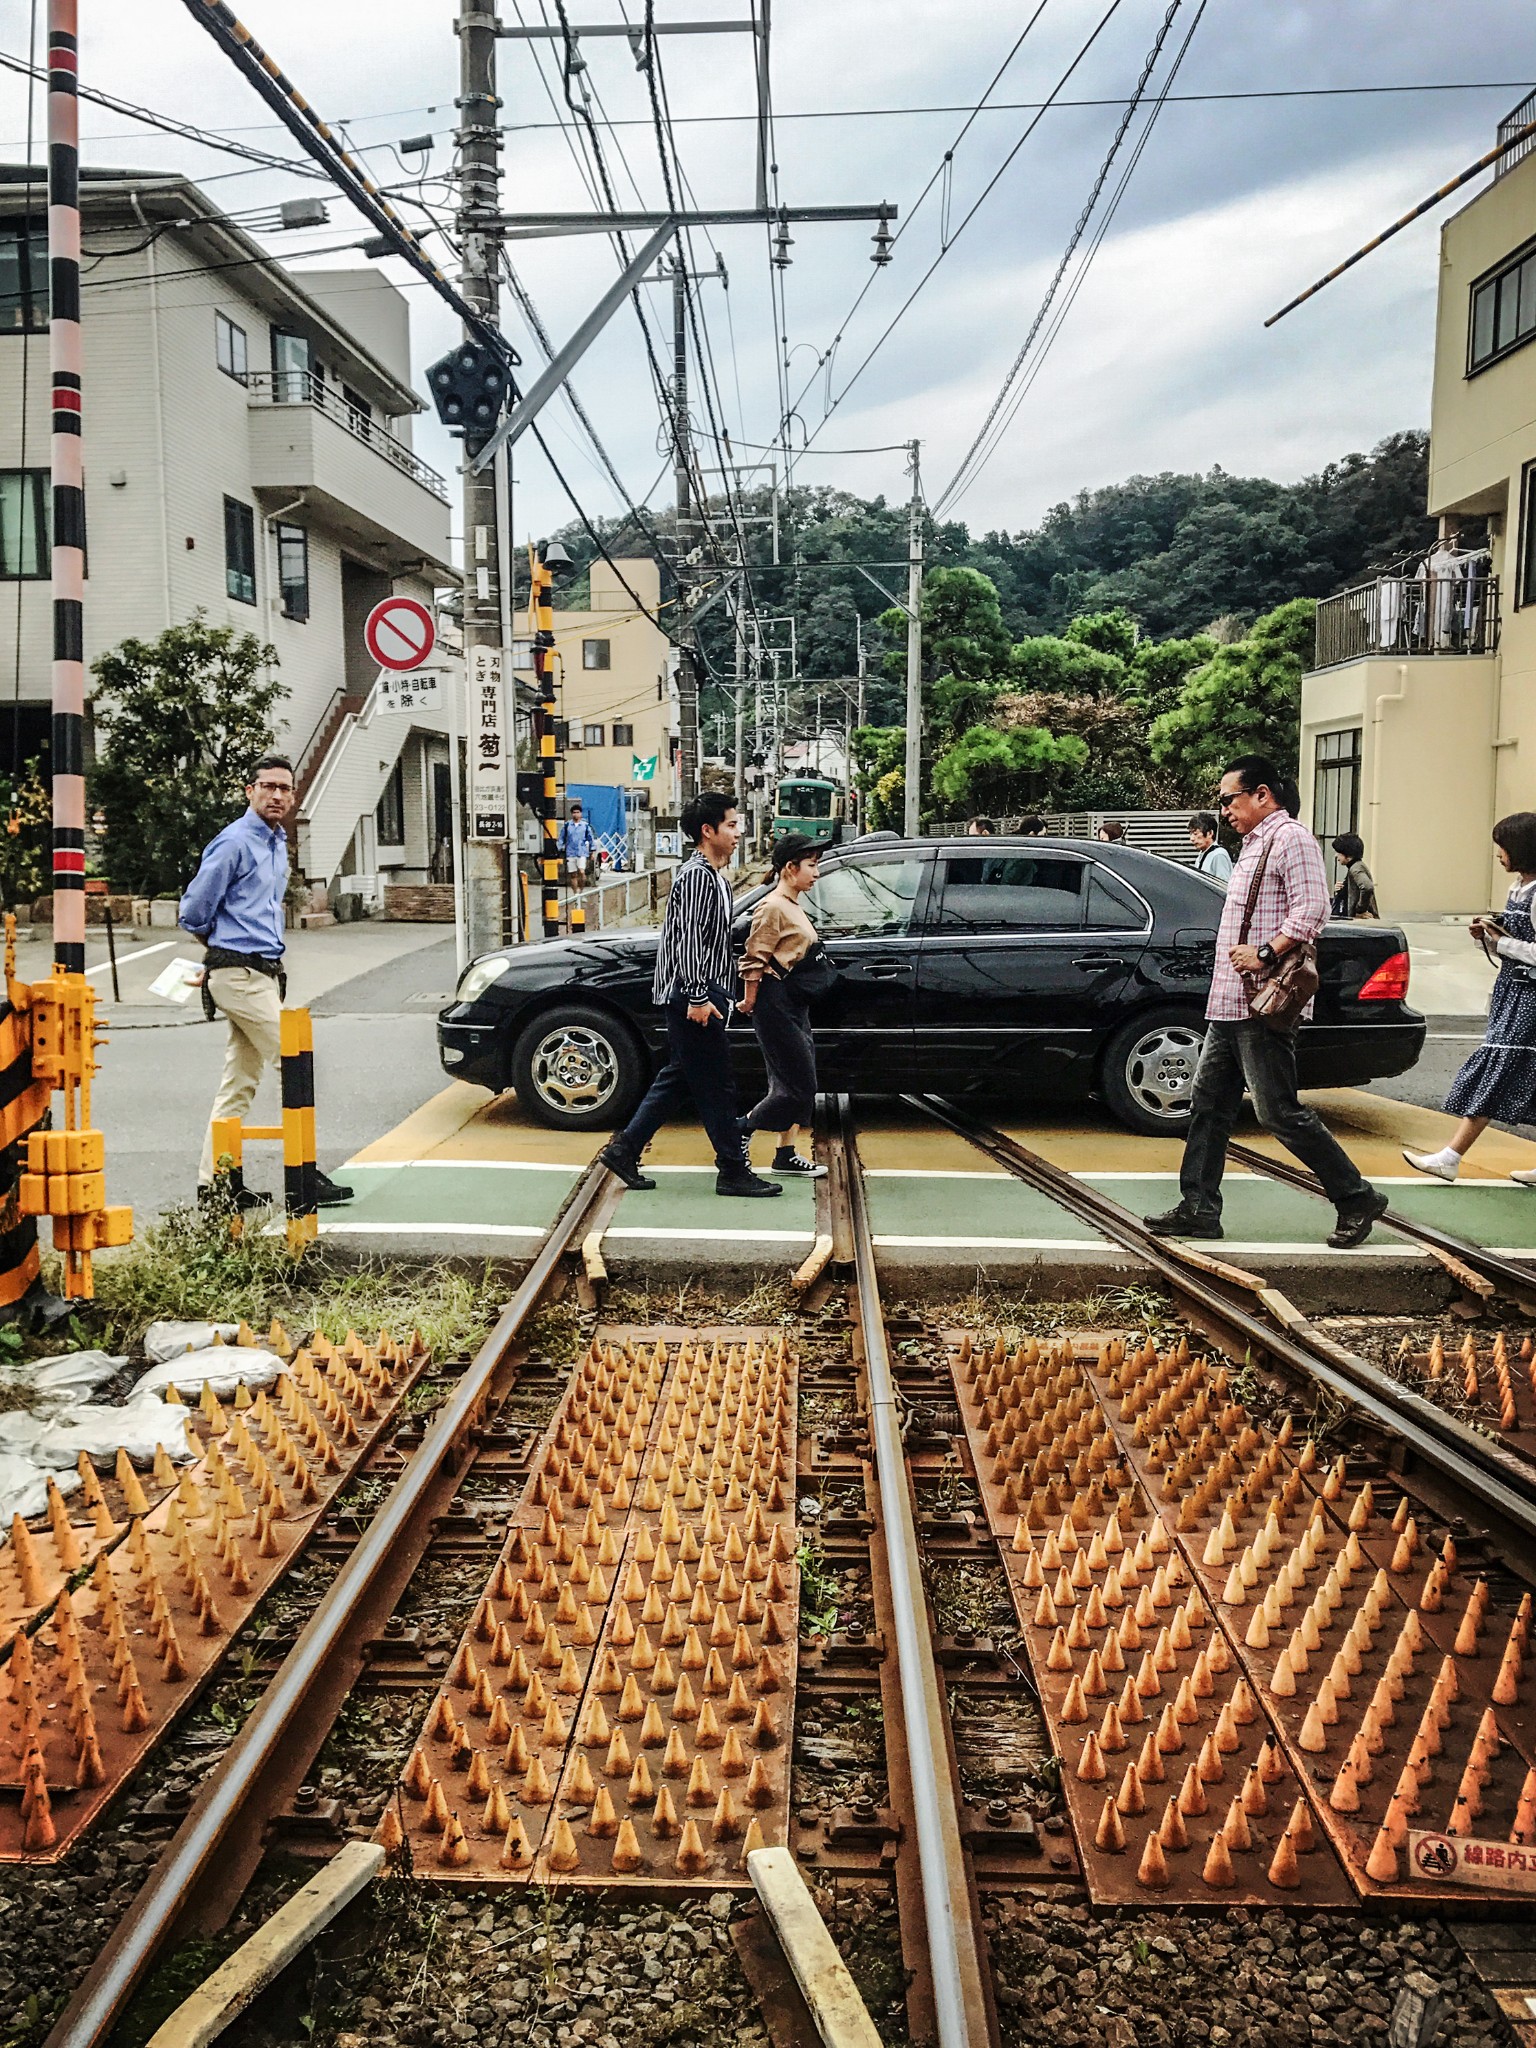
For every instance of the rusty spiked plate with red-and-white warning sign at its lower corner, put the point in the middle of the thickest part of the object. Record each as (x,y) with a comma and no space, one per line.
(1390,1672)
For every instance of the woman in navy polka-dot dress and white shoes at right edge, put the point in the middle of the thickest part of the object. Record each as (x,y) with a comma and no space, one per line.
(1500,1078)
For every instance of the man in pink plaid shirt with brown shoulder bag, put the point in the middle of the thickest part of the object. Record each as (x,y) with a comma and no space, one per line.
(1242,1054)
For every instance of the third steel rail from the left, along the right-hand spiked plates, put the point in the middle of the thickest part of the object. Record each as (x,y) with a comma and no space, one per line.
(1465,1457)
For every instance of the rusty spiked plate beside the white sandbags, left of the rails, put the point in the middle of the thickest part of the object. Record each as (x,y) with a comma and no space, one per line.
(130,1644)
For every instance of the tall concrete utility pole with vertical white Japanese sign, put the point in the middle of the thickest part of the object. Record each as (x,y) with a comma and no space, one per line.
(488,865)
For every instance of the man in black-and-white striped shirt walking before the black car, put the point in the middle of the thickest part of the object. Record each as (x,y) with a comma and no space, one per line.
(695,982)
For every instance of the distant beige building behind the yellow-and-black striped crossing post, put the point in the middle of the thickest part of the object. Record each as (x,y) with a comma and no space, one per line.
(615,687)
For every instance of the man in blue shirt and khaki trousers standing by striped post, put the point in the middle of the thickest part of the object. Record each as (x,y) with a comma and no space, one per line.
(234,906)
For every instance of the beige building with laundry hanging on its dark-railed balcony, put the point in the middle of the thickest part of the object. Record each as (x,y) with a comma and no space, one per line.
(1420,722)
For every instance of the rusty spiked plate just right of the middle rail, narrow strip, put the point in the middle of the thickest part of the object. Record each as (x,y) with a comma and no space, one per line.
(1175,1777)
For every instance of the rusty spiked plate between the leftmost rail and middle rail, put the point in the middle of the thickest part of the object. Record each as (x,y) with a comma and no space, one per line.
(620,1709)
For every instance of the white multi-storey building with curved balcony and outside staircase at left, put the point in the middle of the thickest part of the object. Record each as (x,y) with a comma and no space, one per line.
(249,456)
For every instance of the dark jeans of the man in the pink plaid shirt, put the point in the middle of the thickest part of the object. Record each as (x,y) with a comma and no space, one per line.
(1250,1058)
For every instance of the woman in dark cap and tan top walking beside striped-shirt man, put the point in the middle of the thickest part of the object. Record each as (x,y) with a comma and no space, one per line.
(783,970)
